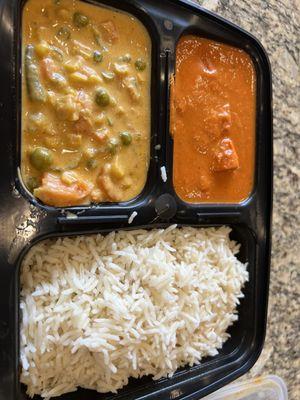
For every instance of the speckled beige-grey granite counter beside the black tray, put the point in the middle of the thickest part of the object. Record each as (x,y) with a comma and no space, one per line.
(275,24)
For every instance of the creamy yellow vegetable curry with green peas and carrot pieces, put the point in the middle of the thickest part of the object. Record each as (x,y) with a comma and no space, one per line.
(85,104)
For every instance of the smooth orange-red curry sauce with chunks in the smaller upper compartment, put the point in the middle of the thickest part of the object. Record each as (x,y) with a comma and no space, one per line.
(213,121)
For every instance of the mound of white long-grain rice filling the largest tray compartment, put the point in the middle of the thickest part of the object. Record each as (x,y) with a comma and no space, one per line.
(97,310)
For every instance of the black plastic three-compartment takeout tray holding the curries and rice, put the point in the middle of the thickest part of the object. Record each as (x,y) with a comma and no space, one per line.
(23,221)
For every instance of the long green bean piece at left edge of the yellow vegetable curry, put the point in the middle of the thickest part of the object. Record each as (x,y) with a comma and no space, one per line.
(35,89)
